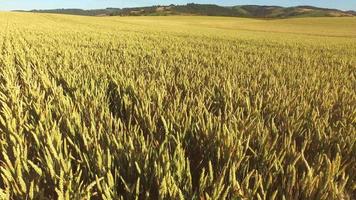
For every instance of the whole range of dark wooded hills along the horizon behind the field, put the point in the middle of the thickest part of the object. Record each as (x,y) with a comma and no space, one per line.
(251,11)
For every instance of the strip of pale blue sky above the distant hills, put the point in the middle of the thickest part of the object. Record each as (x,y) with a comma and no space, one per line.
(90,4)
